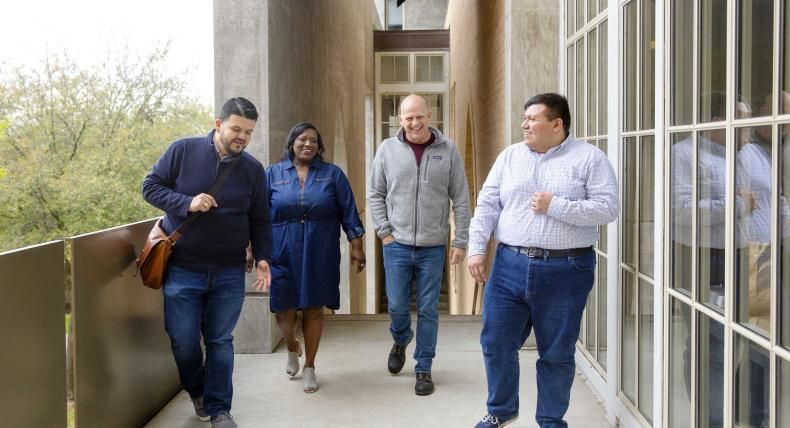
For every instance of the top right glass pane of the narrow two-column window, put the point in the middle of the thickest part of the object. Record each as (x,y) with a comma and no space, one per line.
(648,86)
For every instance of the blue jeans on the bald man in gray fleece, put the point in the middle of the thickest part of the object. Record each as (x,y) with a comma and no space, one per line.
(402,265)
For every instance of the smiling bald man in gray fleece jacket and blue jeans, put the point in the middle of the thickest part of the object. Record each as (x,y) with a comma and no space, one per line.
(415,176)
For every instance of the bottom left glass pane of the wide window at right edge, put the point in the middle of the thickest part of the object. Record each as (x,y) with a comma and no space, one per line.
(679,364)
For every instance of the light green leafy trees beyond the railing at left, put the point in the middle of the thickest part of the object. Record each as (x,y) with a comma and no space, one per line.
(75,143)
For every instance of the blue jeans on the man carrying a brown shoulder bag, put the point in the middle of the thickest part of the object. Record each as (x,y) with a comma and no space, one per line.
(204,303)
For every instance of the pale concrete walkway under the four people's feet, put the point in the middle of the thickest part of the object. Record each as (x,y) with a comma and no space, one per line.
(358,391)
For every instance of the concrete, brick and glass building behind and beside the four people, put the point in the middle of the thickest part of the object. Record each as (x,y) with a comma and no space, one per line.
(689,321)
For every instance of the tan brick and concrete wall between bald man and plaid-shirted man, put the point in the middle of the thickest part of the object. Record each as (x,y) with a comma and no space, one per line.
(501,53)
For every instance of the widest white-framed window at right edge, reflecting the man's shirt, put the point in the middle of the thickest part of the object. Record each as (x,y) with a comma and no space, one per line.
(728,215)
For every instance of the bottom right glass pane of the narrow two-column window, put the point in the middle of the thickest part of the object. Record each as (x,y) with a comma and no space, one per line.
(646,349)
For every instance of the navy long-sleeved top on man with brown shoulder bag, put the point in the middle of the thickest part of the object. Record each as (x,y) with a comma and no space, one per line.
(219,237)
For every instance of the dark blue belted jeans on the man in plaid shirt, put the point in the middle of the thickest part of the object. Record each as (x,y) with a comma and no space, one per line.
(546,295)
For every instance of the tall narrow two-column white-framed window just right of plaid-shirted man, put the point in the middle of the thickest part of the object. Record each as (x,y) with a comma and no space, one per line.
(637,222)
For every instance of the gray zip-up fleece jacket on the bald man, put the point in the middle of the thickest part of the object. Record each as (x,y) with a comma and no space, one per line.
(413,203)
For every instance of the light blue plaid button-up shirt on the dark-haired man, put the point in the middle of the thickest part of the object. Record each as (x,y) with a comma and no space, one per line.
(585,196)
